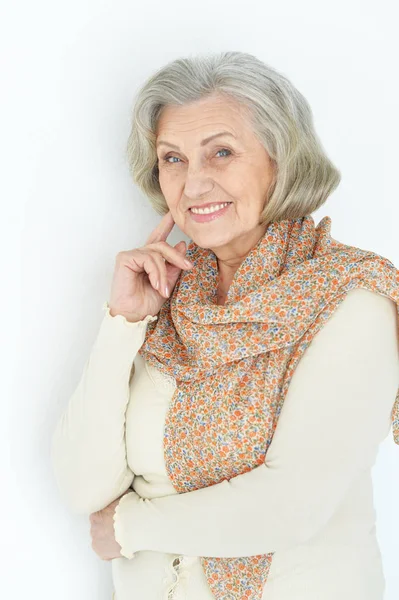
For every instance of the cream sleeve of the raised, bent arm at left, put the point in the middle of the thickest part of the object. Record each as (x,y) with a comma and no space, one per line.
(88,450)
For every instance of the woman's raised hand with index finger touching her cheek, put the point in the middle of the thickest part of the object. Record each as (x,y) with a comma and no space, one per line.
(142,274)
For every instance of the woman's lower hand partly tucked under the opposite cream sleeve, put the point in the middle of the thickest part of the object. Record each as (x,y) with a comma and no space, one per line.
(103,533)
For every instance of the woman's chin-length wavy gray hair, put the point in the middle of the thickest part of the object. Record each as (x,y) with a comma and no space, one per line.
(281,118)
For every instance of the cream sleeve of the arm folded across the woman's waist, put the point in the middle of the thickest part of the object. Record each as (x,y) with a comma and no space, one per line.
(336,412)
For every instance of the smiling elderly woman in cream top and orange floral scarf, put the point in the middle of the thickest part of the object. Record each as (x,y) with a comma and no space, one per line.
(224,429)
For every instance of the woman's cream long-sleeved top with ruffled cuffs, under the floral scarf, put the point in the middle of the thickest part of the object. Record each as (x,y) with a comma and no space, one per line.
(319,520)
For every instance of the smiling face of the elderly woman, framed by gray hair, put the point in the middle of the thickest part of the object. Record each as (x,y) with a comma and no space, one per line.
(232,168)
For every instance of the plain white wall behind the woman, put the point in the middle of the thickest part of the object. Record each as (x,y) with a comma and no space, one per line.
(69,72)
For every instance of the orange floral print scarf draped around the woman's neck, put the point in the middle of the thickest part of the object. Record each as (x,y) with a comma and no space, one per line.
(233,363)
